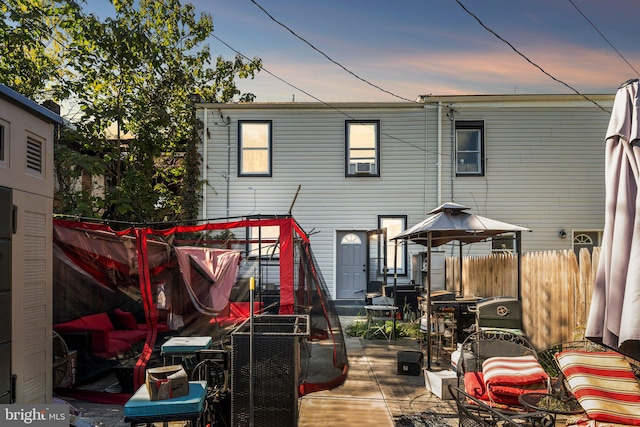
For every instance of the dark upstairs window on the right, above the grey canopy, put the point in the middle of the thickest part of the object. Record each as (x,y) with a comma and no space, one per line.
(469,148)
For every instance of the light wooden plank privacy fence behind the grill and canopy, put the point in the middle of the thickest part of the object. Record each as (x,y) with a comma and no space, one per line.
(556,289)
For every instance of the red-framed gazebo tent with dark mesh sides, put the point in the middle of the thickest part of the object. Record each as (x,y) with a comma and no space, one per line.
(193,278)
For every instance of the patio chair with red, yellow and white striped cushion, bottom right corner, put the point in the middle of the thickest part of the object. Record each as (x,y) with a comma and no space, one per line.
(605,383)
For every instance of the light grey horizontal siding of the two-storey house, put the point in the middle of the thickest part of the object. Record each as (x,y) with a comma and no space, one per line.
(544,160)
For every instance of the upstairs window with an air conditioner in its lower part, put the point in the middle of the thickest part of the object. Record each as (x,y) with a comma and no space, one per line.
(362,148)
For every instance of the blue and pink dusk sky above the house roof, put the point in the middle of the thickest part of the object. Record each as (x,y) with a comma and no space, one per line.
(415,47)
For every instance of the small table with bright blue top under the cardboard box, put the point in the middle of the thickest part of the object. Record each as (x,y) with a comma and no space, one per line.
(140,409)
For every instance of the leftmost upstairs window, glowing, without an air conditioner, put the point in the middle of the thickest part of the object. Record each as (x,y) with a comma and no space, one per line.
(255,148)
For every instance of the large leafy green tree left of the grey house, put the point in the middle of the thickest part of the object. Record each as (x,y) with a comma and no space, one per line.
(134,73)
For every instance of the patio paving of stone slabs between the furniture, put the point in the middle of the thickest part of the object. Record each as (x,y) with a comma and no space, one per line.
(374,394)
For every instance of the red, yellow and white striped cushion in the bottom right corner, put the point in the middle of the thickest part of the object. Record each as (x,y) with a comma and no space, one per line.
(604,384)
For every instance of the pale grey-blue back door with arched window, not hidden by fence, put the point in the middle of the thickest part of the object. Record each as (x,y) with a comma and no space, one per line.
(351,264)
